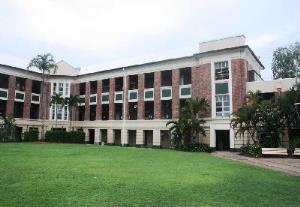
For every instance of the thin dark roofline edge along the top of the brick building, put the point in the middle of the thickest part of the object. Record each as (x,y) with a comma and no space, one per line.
(148,63)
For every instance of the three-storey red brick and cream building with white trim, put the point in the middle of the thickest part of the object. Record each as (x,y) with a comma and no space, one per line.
(131,105)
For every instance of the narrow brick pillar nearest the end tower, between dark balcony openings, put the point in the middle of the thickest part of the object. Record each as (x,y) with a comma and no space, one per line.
(175,93)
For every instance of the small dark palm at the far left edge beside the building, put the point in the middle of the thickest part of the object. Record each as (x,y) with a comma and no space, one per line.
(7,128)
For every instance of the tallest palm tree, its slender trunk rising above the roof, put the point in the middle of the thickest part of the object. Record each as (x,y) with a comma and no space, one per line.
(46,65)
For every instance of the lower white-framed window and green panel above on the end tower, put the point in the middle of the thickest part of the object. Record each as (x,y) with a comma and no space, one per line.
(222,100)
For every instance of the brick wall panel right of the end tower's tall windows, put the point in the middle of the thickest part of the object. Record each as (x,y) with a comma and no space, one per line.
(239,79)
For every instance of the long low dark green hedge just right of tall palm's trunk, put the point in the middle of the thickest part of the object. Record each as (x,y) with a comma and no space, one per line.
(65,137)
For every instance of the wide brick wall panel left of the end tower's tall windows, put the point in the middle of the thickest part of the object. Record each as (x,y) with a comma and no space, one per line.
(201,83)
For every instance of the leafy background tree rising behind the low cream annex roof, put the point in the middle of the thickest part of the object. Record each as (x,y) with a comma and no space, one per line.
(286,61)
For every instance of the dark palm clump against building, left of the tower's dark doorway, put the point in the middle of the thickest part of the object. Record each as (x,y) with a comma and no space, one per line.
(187,128)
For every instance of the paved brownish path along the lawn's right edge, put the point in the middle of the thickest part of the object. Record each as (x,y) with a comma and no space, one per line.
(286,165)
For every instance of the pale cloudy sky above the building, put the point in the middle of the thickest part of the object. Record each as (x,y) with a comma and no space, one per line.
(97,35)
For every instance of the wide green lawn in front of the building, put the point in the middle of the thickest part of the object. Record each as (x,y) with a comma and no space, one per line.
(86,175)
